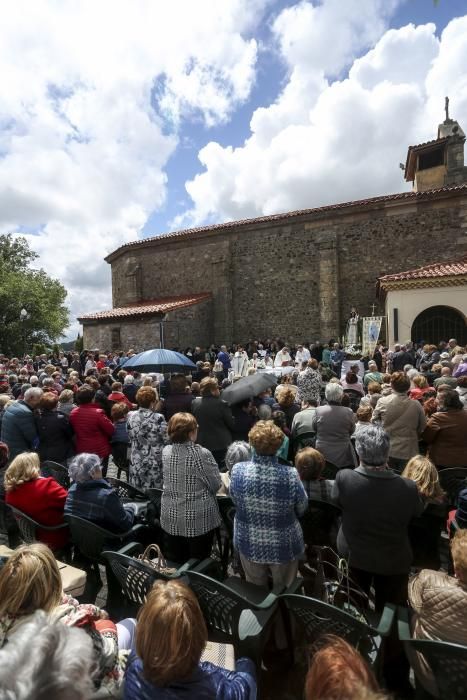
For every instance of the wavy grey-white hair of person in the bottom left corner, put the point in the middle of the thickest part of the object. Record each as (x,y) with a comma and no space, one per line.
(47,661)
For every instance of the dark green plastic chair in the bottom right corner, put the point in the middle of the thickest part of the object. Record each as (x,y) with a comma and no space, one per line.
(448,662)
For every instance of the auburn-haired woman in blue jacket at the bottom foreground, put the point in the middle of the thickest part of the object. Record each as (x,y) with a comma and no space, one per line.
(170,637)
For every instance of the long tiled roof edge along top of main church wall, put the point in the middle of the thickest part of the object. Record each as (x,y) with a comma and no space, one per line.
(191,232)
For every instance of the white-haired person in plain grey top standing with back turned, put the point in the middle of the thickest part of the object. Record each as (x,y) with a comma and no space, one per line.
(334,425)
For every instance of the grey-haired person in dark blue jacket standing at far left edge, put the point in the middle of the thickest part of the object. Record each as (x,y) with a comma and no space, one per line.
(18,425)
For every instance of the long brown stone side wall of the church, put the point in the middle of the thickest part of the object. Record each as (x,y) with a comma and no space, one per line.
(299,277)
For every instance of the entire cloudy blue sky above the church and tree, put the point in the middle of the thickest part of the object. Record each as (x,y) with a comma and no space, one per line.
(121,119)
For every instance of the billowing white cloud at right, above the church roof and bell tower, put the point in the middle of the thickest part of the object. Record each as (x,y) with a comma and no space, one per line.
(328,139)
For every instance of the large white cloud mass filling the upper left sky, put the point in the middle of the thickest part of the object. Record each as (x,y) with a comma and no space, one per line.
(92,96)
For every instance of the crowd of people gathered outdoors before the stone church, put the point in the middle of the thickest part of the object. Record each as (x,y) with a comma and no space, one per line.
(369,435)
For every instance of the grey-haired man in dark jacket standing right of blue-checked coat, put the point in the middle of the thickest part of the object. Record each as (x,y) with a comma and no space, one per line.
(377,506)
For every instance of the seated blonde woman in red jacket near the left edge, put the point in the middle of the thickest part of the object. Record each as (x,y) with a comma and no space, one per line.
(42,498)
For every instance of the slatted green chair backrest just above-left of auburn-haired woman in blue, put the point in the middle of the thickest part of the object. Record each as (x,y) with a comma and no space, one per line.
(135,577)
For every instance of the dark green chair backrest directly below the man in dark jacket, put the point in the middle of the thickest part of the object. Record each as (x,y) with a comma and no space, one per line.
(318,619)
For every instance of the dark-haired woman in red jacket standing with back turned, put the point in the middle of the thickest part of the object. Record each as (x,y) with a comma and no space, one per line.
(93,429)
